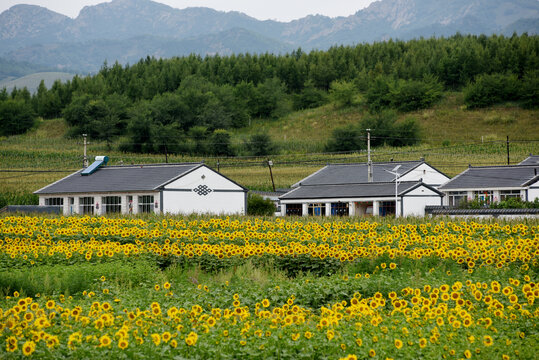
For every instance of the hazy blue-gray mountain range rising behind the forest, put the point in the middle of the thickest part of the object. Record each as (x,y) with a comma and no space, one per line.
(128,30)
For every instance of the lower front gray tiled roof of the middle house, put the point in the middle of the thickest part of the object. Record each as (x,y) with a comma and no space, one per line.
(351,190)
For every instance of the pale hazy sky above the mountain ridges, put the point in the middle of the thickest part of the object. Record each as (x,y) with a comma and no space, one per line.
(283,10)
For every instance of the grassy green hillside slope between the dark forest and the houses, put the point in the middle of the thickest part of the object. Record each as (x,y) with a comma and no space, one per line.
(452,138)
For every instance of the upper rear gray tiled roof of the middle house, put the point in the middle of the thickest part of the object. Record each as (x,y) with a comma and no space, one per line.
(357,173)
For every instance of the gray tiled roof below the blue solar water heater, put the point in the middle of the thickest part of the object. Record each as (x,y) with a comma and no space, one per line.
(119,179)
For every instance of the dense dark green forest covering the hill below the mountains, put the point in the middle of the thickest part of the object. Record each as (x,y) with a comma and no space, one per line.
(189,104)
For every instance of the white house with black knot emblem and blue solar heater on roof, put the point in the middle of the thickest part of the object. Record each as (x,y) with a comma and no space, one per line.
(157,188)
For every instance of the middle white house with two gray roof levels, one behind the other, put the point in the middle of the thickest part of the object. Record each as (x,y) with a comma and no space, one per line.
(345,190)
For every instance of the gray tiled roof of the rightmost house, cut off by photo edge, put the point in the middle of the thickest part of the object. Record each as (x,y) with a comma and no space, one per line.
(489,177)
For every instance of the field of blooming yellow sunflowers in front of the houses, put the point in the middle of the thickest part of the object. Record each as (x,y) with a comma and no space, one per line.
(275,288)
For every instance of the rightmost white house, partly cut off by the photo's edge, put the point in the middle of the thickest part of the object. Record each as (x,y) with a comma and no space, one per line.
(494,183)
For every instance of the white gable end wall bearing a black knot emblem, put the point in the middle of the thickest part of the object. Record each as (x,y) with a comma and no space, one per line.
(225,196)
